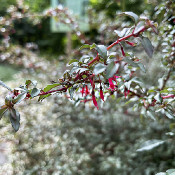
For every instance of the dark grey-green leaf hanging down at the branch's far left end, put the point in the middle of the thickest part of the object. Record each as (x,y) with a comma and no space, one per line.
(15,119)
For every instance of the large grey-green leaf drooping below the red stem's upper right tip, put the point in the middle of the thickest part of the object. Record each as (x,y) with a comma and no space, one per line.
(148,47)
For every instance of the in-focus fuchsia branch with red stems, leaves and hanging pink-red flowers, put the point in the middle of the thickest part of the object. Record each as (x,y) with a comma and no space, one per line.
(99,76)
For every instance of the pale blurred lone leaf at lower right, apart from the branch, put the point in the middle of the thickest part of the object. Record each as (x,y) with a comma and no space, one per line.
(150,144)
